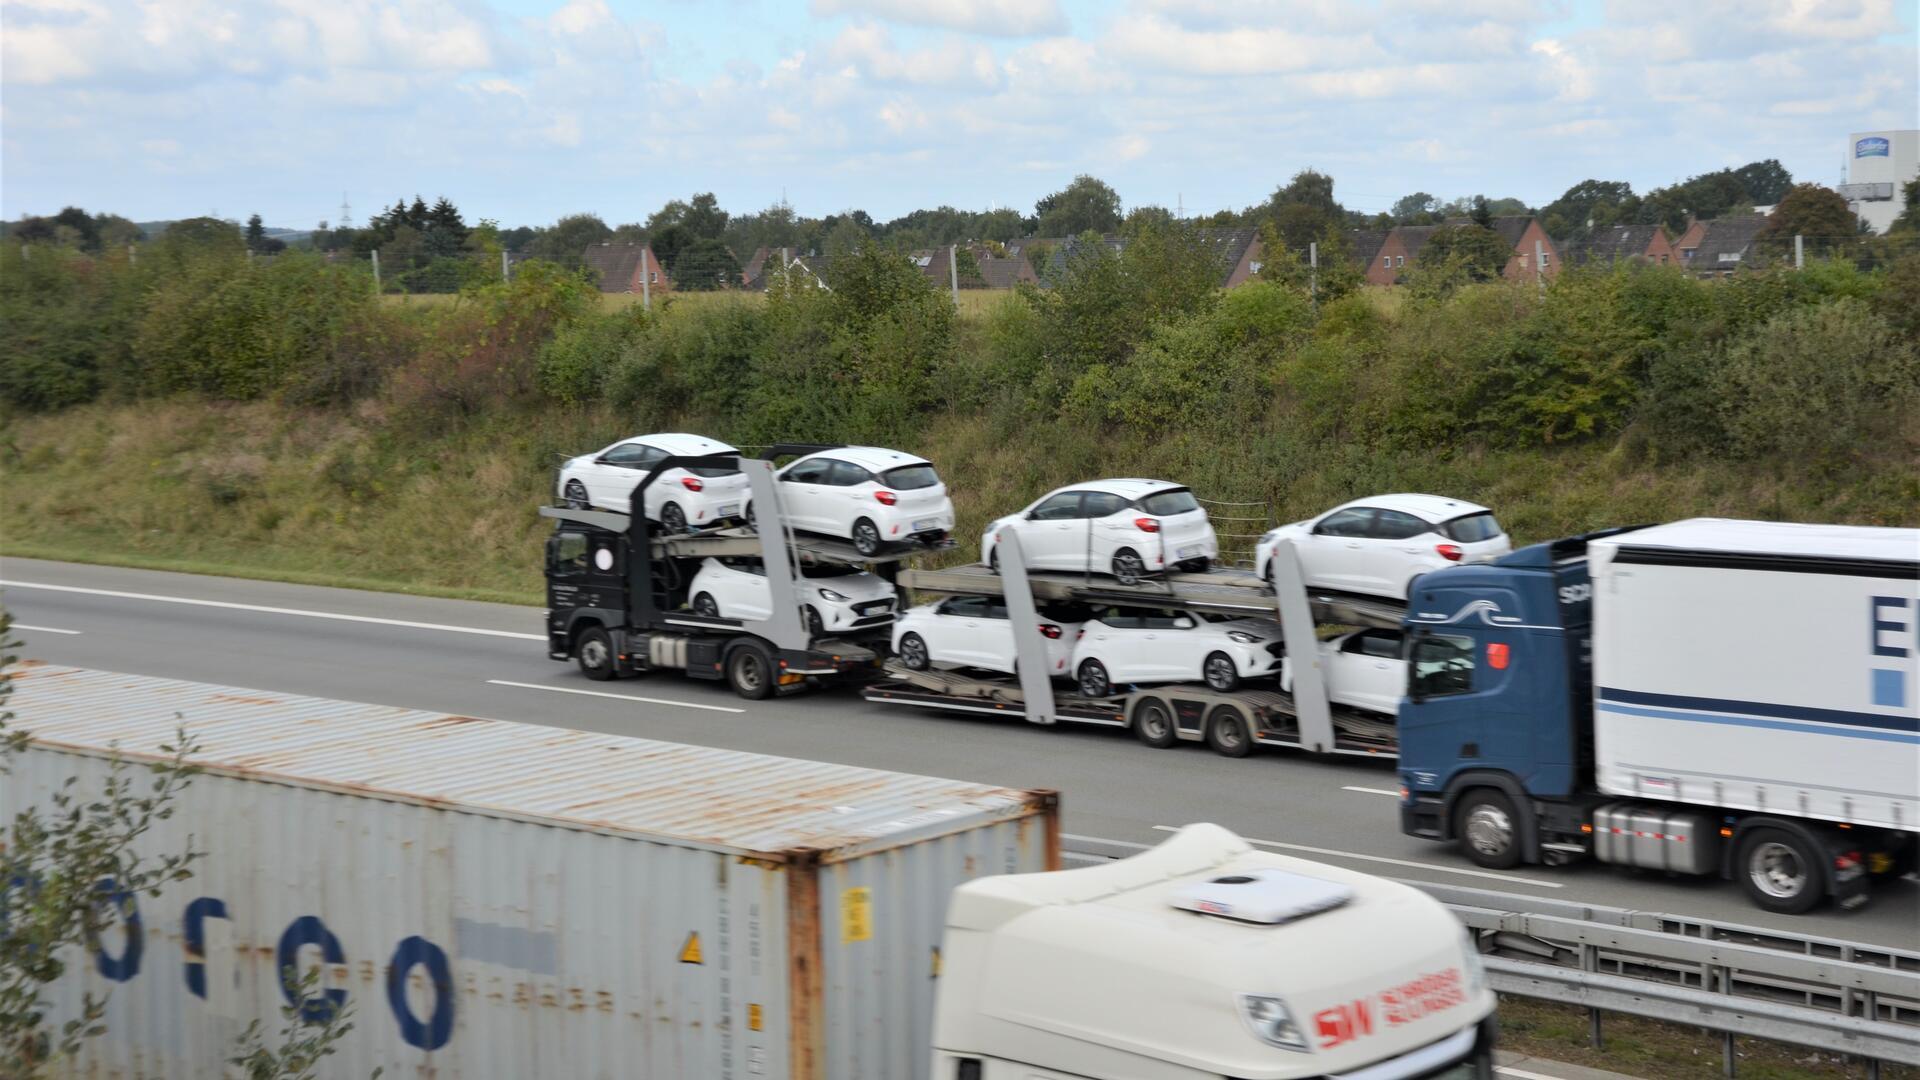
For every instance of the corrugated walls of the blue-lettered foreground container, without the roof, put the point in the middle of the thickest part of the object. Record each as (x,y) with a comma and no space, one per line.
(546,950)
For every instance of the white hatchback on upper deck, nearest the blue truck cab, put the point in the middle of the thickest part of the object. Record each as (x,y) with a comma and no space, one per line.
(1380,545)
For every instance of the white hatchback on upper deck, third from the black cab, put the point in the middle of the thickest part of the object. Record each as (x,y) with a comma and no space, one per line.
(1113,528)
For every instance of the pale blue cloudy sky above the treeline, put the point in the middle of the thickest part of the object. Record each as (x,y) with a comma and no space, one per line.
(523,110)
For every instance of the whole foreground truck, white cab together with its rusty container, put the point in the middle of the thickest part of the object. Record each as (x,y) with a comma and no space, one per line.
(514,900)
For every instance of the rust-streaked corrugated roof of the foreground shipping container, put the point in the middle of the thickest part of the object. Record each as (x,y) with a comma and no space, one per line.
(696,797)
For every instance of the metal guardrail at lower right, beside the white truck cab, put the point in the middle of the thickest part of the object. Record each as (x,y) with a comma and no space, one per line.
(1740,981)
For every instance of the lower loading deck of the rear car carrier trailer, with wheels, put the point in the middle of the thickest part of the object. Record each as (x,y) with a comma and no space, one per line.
(1161,716)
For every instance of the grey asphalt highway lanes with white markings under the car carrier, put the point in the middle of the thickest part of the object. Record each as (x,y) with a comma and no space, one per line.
(489,660)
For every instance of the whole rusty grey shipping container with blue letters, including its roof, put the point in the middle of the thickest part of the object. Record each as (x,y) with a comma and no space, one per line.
(510,900)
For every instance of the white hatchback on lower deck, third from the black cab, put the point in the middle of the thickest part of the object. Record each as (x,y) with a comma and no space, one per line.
(1141,645)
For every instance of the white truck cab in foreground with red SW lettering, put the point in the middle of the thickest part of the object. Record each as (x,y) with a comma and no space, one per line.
(1207,960)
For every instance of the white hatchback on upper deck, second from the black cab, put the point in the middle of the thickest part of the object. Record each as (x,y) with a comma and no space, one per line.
(867,495)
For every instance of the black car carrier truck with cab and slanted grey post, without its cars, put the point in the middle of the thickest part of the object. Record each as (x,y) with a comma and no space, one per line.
(617,595)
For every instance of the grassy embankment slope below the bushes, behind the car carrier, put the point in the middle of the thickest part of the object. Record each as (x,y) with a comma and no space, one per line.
(354,499)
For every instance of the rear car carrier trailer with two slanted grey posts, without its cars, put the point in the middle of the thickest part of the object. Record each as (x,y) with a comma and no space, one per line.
(1232,724)
